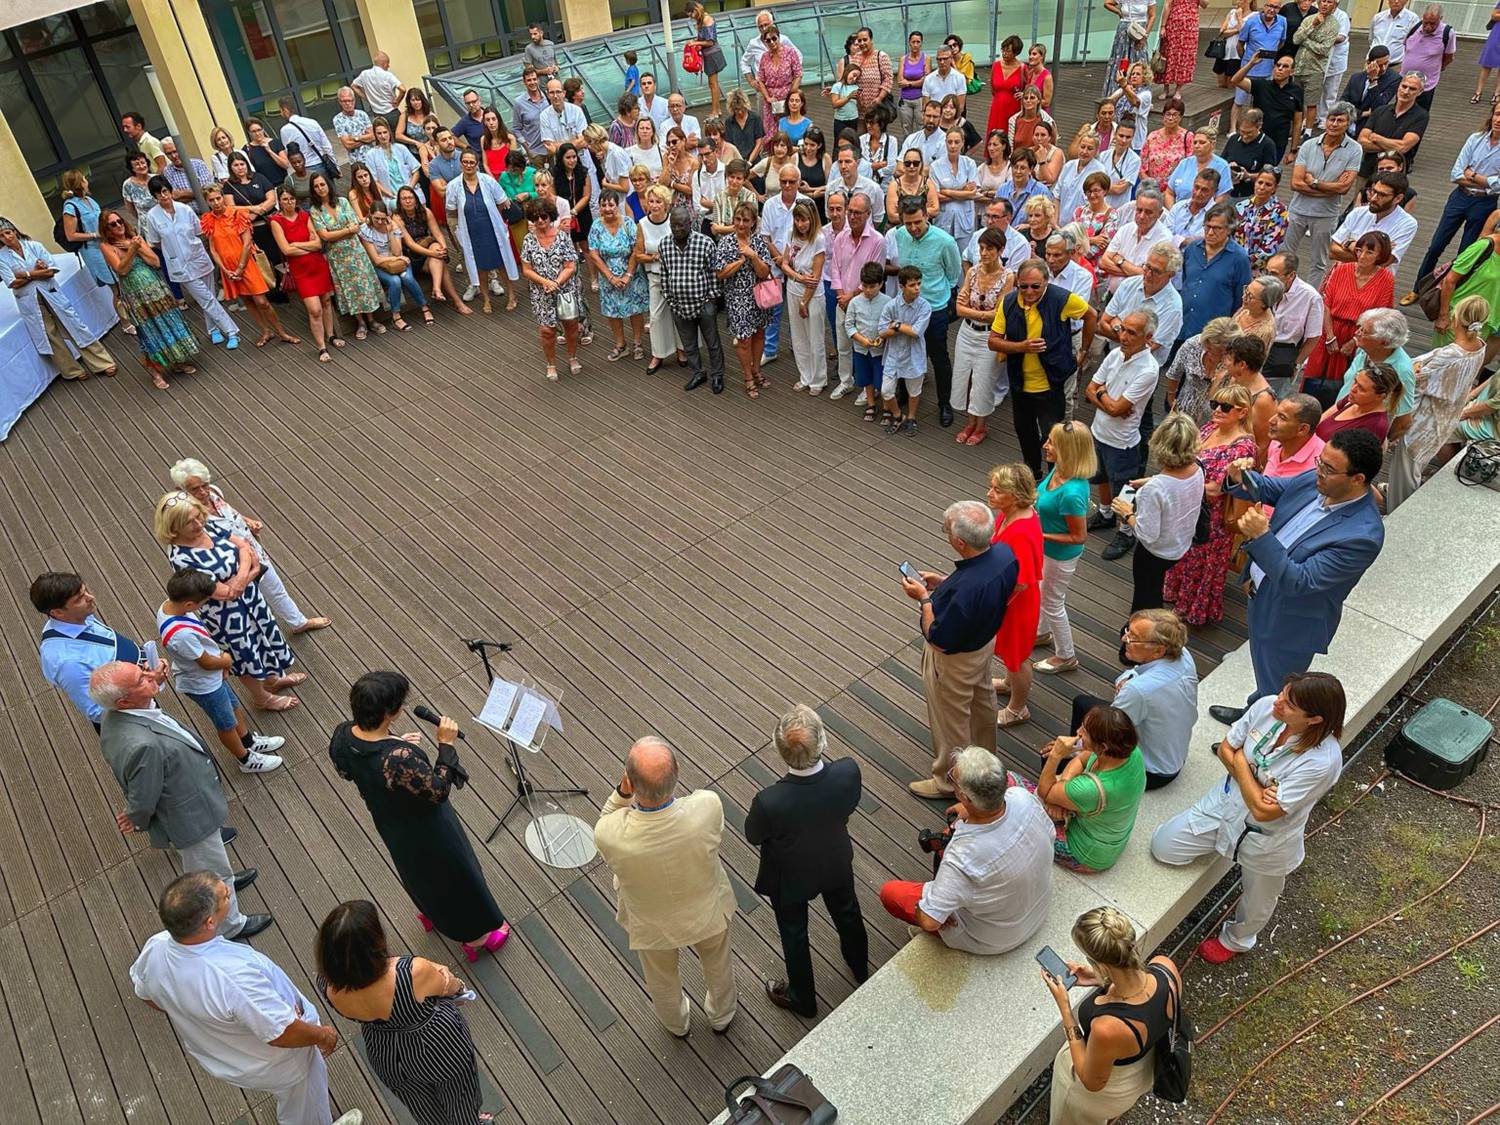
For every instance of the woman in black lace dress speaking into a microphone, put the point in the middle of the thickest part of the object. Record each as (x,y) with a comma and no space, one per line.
(409,800)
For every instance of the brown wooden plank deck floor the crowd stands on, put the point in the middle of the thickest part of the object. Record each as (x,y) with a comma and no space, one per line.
(676,563)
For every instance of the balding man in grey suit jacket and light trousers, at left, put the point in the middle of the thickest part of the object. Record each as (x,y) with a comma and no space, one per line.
(170,782)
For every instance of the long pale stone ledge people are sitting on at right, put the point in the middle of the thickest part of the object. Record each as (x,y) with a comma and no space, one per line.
(878,1054)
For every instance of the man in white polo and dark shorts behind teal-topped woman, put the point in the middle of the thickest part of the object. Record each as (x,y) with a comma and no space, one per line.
(1120,391)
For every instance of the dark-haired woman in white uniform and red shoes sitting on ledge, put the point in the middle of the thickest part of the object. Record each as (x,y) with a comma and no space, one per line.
(1282,757)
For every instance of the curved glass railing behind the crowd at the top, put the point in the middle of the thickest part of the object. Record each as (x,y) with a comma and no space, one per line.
(818,29)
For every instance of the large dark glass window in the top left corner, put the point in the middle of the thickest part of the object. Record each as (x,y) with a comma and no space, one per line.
(64,85)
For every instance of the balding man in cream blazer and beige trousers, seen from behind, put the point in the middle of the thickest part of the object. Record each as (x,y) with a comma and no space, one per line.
(670,883)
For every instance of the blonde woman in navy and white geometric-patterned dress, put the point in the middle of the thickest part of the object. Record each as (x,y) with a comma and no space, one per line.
(238,616)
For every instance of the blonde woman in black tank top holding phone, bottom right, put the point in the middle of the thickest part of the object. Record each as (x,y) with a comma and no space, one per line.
(1108,1060)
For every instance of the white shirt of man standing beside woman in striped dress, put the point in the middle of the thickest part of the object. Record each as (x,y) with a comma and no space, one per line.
(227,1003)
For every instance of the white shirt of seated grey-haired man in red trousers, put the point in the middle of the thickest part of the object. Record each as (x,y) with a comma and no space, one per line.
(995,881)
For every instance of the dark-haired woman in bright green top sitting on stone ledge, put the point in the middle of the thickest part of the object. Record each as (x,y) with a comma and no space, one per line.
(1094,781)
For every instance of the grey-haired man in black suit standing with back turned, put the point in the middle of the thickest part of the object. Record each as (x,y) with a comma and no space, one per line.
(802,827)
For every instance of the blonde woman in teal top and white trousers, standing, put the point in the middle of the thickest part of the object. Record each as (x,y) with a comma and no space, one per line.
(1063,503)
